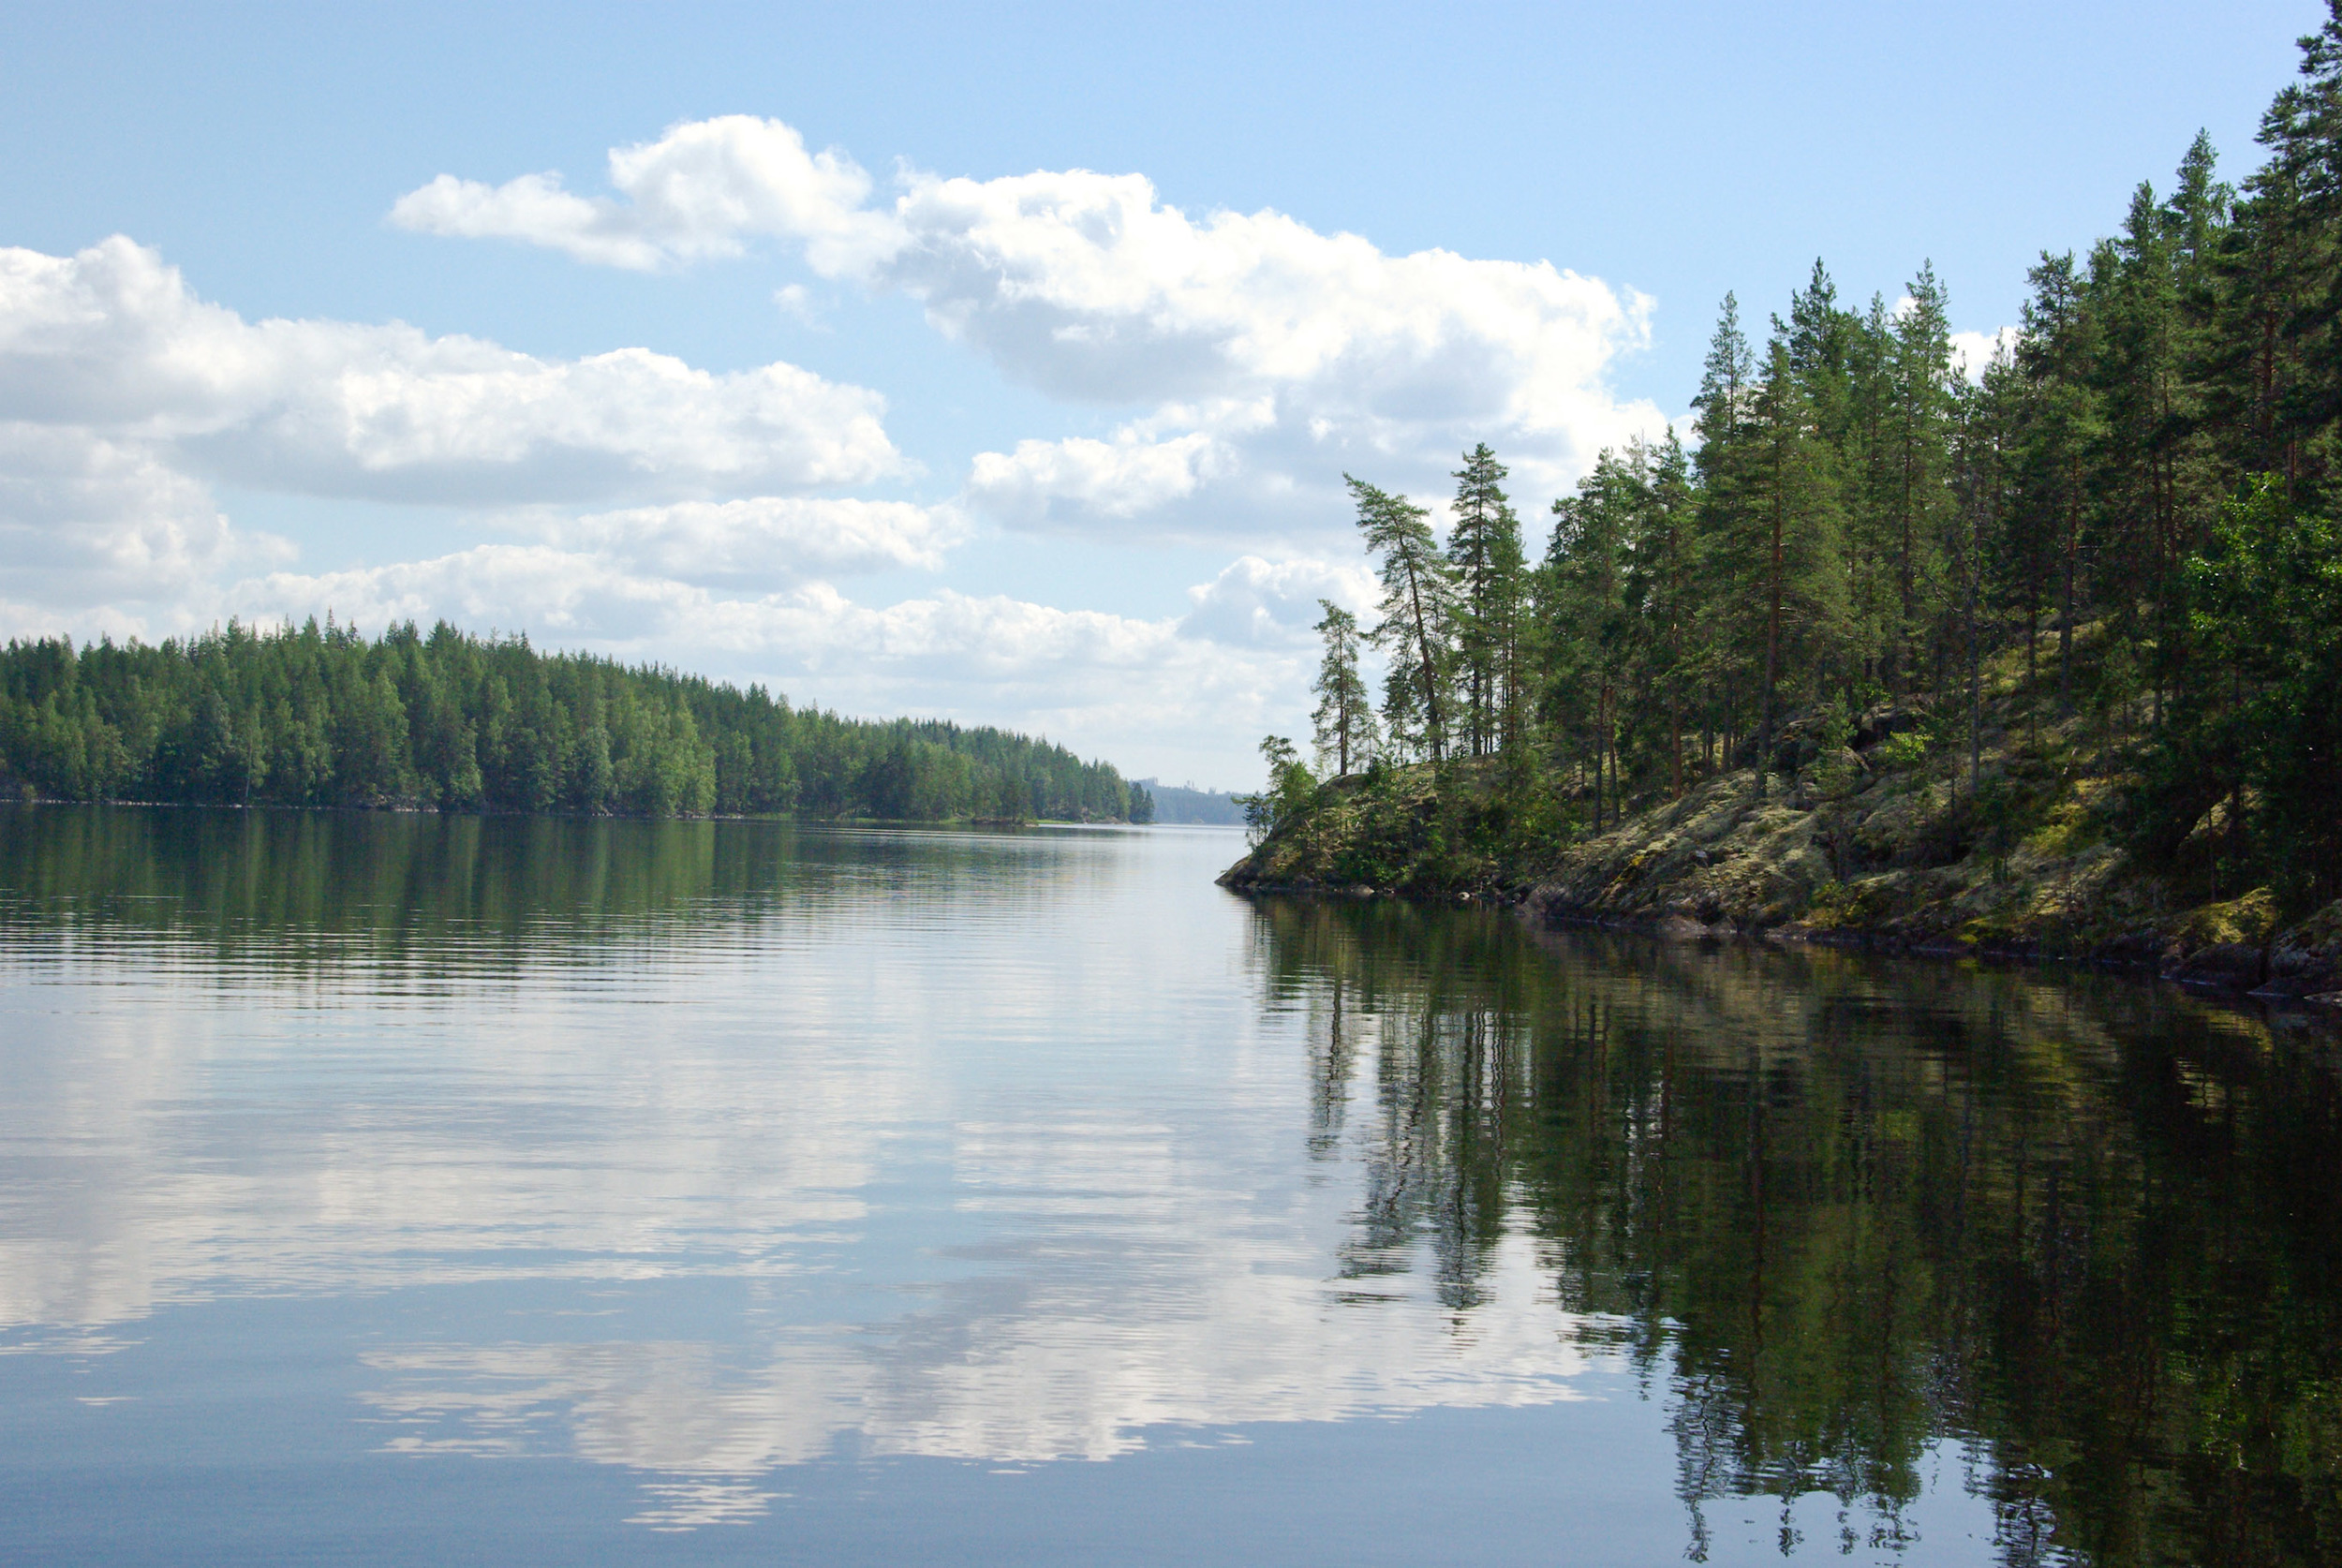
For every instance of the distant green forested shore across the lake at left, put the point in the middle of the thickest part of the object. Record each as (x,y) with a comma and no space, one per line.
(327,717)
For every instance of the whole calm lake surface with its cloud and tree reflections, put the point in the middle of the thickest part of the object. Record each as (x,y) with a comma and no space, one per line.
(577,1192)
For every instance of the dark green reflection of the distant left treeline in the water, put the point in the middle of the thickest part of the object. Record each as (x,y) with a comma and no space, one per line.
(301,888)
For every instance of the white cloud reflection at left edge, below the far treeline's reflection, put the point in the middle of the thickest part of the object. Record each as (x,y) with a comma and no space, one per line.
(418,1190)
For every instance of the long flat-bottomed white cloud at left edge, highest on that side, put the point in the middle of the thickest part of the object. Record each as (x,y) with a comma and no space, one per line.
(114,343)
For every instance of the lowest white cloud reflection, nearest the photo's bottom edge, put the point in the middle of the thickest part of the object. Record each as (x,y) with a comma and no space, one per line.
(1069,1359)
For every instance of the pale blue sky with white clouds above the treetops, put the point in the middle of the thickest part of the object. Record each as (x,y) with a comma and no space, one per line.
(994,364)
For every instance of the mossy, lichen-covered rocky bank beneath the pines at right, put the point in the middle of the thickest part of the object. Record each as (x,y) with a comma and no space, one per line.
(1901,862)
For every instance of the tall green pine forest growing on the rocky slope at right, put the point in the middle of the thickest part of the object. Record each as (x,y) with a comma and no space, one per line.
(2135,497)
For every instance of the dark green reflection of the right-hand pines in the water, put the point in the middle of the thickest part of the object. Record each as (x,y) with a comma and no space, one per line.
(1847,1211)
